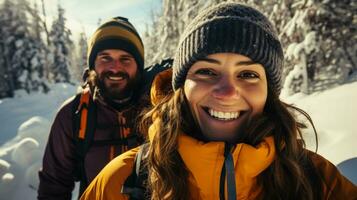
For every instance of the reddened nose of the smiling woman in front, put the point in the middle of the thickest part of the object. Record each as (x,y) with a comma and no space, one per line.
(226,88)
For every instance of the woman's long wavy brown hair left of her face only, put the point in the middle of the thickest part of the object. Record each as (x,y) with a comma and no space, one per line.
(167,173)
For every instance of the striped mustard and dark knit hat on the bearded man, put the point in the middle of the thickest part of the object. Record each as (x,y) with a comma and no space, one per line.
(117,33)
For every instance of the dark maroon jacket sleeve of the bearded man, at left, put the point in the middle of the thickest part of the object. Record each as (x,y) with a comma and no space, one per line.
(56,176)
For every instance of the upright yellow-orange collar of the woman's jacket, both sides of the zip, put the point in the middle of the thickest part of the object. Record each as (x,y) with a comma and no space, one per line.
(249,161)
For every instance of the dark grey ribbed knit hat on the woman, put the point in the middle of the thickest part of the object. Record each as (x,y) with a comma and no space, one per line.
(233,28)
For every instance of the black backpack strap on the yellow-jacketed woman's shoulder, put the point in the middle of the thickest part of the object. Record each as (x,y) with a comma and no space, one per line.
(136,183)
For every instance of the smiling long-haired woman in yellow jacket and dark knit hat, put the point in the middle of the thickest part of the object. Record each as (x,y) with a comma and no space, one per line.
(222,132)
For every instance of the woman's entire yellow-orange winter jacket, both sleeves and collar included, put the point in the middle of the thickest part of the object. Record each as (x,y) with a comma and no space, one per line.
(204,162)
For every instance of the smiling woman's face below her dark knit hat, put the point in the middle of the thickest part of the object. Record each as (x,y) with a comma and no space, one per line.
(224,91)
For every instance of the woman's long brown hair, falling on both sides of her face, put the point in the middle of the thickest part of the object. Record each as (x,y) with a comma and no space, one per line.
(290,176)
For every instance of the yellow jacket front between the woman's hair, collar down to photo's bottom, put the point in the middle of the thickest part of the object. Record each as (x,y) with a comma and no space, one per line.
(204,162)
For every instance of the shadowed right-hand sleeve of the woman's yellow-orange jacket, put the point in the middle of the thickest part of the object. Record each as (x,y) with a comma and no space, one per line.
(336,186)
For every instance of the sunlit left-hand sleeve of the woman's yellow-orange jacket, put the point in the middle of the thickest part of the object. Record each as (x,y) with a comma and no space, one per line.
(108,183)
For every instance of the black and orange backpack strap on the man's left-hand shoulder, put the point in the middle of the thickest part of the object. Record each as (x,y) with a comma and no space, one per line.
(84,119)
